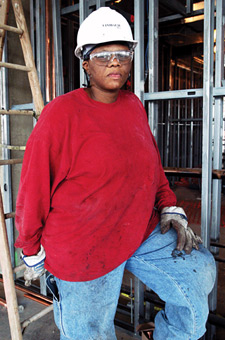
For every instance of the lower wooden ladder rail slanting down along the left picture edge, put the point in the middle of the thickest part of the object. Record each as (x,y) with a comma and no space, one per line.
(8,282)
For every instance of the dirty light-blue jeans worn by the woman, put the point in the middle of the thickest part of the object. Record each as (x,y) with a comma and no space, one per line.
(86,310)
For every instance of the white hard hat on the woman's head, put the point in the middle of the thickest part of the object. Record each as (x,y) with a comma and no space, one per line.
(102,26)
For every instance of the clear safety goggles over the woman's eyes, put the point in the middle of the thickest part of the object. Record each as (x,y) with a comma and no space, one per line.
(103,58)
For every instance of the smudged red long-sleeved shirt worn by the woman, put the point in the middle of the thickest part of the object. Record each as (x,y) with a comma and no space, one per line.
(90,180)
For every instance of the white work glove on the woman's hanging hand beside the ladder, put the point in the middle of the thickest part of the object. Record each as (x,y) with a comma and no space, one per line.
(34,266)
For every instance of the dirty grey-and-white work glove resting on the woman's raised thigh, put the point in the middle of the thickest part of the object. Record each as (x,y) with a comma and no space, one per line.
(175,217)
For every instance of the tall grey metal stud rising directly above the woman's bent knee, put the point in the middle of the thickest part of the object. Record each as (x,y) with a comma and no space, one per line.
(207,121)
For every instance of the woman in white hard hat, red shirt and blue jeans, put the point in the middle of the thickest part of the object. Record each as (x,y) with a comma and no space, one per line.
(91,193)
